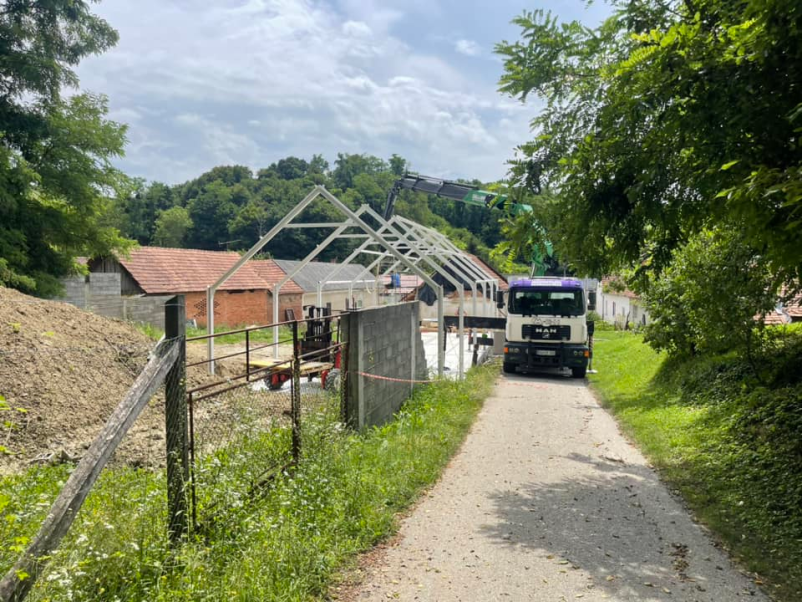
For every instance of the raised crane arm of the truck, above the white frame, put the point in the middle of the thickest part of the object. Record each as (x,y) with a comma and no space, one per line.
(464,193)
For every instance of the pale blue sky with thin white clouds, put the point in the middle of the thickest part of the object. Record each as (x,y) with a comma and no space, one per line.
(203,83)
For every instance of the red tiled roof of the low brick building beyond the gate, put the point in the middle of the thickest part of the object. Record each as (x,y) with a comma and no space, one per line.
(159,270)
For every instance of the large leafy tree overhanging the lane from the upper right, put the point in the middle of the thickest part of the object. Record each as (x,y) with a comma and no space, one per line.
(668,119)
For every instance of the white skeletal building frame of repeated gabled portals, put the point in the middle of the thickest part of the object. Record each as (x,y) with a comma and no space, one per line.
(408,245)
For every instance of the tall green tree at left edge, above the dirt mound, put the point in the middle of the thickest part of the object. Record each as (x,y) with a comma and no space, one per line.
(56,177)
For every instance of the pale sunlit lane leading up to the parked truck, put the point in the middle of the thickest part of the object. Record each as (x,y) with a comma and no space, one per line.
(547,501)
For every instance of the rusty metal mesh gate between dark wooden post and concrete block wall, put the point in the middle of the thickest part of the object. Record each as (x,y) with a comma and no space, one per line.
(246,425)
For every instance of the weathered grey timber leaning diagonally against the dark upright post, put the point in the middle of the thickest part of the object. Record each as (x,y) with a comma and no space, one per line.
(78,486)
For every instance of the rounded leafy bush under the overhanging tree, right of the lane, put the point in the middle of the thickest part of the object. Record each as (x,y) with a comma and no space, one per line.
(707,299)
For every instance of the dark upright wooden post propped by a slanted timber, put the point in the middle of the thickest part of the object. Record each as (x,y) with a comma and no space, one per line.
(176,422)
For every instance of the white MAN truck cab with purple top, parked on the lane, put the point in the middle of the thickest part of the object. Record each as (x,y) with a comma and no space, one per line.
(547,325)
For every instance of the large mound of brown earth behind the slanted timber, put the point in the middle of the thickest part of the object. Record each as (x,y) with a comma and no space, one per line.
(62,372)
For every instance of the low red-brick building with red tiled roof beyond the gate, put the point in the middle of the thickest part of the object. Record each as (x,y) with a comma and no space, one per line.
(246,298)
